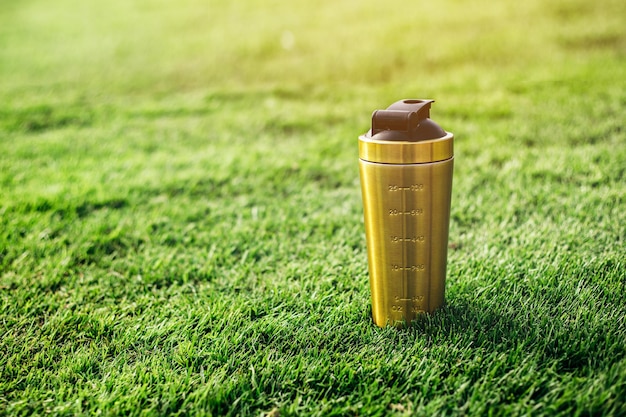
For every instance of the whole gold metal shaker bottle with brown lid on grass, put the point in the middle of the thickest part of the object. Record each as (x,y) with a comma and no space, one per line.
(405,164)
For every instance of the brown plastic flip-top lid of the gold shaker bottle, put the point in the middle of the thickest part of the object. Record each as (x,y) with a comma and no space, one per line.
(407,121)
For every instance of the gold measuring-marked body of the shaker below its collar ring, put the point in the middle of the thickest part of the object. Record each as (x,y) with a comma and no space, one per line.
(407,214)
